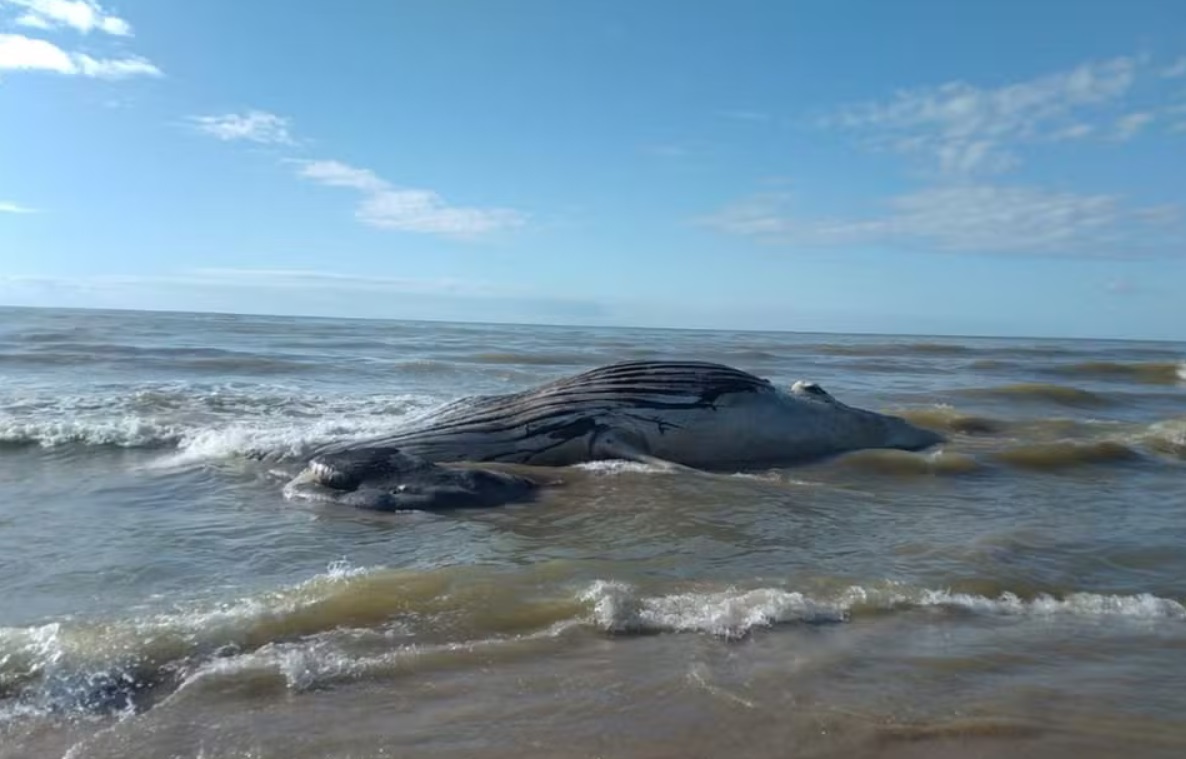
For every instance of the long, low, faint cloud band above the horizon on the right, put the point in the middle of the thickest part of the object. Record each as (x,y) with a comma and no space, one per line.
(973,219)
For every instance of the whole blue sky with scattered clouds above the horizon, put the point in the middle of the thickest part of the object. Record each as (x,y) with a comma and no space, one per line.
(917,167)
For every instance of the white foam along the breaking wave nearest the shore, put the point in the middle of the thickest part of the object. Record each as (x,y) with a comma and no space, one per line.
(68,656)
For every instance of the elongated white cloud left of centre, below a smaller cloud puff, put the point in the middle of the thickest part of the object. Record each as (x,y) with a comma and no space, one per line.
(410,209)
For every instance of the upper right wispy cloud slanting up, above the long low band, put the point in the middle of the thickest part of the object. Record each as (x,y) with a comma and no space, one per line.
(966,130)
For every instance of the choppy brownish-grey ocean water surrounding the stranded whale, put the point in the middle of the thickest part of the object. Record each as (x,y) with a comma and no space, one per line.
(1017,592)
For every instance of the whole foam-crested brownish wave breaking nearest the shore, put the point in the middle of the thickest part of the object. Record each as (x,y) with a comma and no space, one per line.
(349,623)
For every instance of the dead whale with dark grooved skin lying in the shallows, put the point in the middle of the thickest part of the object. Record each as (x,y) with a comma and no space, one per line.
(679,416)
